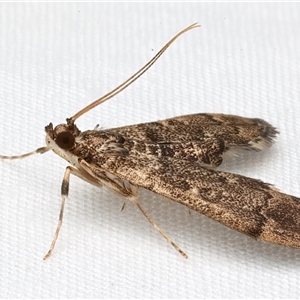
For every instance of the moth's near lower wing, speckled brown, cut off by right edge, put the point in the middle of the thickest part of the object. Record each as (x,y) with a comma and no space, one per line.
(244,204)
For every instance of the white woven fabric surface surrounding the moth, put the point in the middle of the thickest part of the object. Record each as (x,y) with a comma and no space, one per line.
(55,59)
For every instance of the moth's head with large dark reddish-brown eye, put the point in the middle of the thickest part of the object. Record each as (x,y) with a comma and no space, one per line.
(62,136)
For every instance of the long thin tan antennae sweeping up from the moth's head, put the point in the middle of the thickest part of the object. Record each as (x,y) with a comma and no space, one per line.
(131,79)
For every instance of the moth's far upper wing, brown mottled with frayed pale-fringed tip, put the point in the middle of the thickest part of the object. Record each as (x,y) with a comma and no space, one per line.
(236,132)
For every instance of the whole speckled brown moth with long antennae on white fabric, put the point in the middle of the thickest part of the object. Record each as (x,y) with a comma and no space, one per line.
(177,158)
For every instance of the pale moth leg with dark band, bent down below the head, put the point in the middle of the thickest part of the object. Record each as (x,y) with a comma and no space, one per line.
(64,196)
